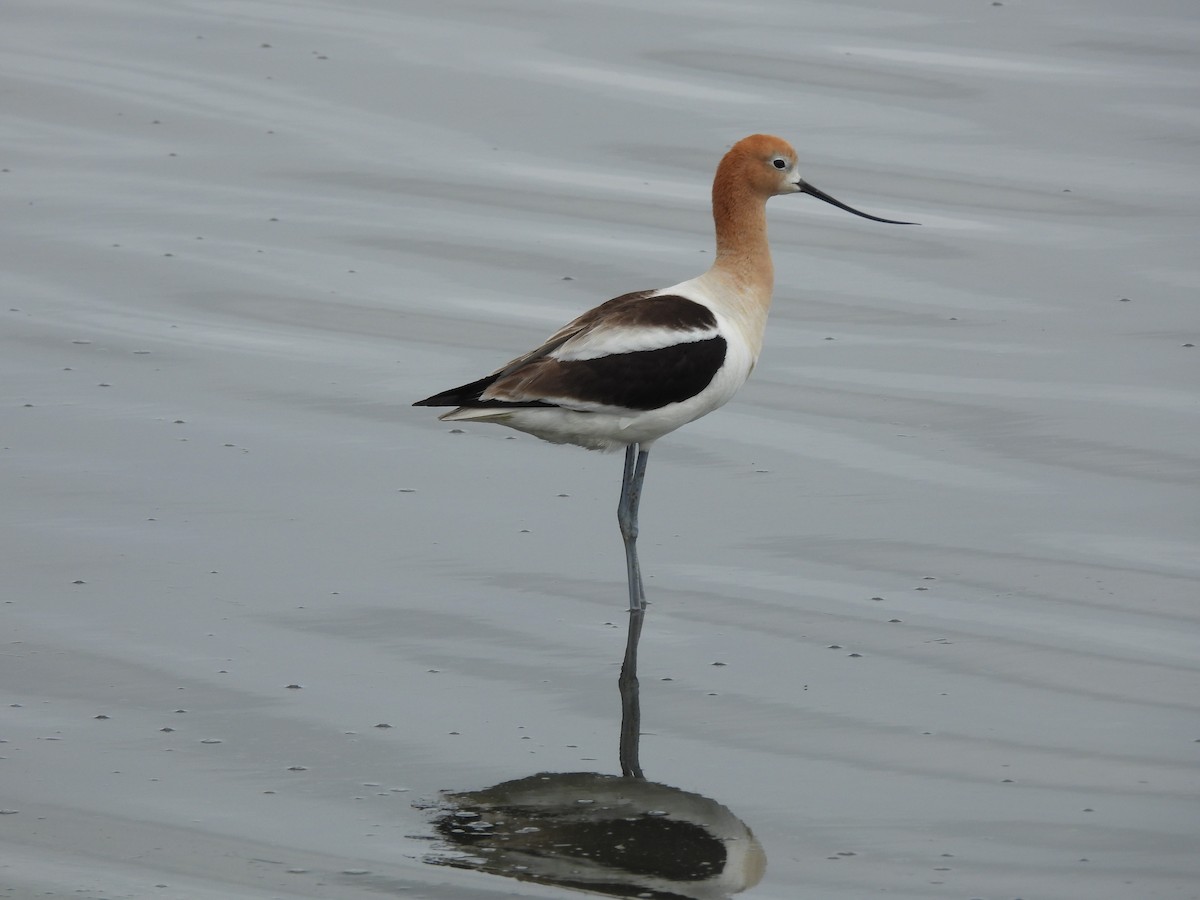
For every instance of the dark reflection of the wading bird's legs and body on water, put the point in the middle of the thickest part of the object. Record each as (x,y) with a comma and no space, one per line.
(609,835)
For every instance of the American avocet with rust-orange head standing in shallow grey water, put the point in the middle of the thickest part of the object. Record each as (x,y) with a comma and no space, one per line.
(640,365)
